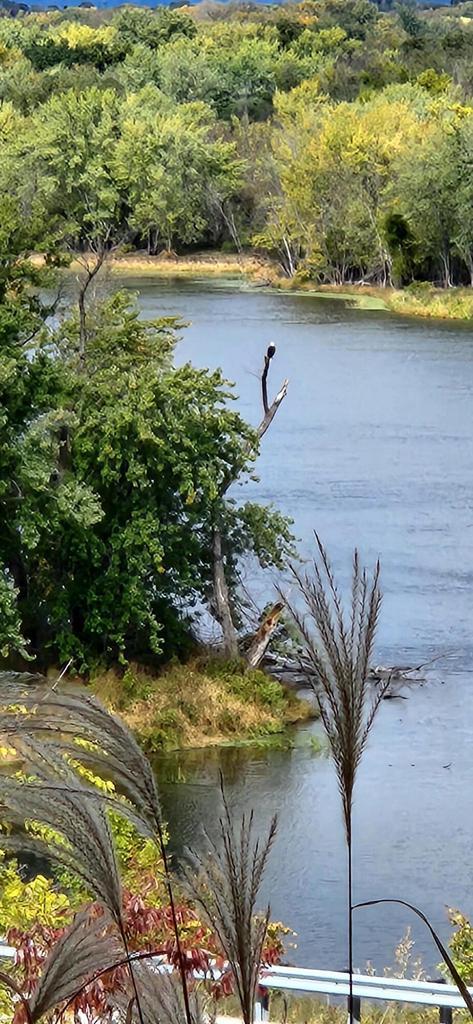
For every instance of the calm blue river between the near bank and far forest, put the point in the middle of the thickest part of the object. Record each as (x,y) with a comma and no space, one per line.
(373,447)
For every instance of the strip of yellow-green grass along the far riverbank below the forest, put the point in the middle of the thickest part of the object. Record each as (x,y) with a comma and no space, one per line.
(415,301)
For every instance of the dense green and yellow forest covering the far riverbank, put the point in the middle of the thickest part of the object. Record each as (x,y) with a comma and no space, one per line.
(333,137)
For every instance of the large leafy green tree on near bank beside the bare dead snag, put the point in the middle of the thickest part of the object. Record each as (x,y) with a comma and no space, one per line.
(114,543)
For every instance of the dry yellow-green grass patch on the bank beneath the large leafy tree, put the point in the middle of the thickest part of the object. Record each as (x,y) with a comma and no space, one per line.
(201,704)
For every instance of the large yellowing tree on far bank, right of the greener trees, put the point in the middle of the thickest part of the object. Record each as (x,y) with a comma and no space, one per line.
(335,164)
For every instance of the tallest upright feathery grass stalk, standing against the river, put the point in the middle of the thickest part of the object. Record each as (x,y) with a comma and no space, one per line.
(338,645)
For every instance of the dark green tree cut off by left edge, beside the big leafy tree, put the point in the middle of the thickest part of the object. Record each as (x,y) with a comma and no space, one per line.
(28,387)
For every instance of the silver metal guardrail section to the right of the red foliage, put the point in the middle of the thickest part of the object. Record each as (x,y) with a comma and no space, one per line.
(333,984)
